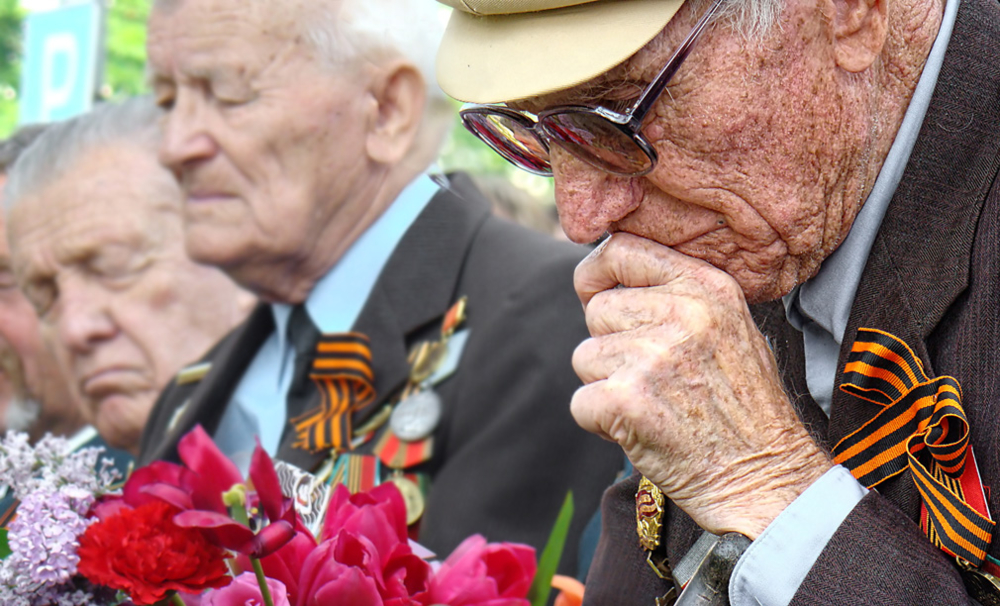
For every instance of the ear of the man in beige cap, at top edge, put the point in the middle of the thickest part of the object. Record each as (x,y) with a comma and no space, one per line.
(859,28)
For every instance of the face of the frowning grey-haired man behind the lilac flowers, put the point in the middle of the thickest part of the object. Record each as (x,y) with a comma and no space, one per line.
(99,254)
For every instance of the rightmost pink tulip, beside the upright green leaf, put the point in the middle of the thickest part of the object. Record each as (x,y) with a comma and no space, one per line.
(482,574)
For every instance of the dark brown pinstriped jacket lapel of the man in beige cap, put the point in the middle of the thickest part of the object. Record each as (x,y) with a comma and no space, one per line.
(920,261)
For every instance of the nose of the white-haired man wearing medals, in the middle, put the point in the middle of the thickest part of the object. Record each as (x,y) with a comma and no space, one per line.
(186,138)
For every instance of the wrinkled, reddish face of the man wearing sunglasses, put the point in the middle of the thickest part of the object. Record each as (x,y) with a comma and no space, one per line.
(756,147)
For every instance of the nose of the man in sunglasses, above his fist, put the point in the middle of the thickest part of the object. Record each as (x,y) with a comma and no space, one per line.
(590,200)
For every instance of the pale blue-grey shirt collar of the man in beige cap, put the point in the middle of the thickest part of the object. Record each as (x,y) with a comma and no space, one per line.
(827,298)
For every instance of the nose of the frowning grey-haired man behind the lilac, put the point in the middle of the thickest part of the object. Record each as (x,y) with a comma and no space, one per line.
(83,316)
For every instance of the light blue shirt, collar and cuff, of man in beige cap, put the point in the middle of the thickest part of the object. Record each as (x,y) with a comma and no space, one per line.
(774,566)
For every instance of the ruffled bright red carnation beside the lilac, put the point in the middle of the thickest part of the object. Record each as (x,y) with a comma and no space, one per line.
(143,553)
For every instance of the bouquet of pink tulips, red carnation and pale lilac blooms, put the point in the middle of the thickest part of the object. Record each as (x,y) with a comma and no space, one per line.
(200,533)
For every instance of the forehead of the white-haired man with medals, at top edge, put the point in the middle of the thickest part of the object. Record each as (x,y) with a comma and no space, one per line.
(193,36)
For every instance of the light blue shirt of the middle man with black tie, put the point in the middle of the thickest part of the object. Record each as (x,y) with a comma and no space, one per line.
(257,407)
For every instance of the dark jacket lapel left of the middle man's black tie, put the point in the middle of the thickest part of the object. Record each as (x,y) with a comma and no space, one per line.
(209,400)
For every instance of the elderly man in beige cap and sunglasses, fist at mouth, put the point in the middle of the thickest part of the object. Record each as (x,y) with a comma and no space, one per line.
(796,317)
